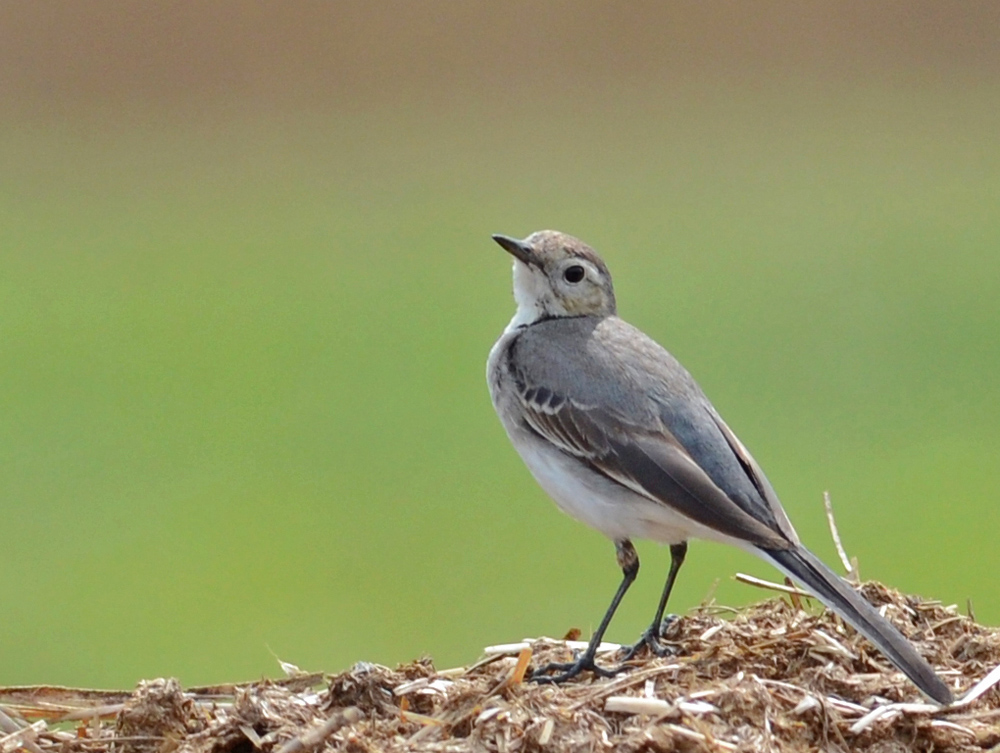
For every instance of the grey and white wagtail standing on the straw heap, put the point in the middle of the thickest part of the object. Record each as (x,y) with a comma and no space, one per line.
(617,432)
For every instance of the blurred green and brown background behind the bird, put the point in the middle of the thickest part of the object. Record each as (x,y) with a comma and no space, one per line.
(247,291)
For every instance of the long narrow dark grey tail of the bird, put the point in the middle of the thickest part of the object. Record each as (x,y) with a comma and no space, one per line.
(803,566)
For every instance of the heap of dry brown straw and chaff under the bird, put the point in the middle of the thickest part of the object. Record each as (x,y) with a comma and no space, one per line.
(768,677)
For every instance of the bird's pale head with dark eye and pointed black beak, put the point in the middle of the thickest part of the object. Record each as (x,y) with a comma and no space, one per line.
(557,275)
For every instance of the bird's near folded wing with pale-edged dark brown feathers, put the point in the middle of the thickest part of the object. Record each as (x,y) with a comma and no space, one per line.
(649,461)
